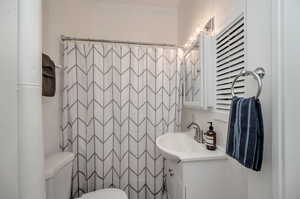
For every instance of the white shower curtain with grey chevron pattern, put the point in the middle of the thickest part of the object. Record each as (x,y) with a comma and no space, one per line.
(117,99)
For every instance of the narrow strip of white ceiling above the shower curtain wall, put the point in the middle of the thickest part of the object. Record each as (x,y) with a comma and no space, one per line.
(156,3)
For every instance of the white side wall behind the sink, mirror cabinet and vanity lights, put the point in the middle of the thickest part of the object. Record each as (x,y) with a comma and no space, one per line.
(192,14)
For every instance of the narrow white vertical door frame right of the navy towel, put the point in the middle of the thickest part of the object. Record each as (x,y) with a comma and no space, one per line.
(277,101)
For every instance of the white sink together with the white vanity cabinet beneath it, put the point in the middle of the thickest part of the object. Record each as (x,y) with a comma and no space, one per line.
(193,171)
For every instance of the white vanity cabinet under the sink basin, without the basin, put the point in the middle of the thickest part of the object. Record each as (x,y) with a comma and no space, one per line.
(198,179)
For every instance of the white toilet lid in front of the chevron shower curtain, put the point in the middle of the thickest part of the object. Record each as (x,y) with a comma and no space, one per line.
(105,194)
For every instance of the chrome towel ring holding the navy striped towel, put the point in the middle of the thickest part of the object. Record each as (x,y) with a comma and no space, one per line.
(258,74)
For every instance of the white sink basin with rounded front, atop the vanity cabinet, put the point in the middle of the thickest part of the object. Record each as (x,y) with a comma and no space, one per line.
(181,146)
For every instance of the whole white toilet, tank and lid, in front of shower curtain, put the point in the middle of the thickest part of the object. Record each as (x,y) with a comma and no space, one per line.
(58,174)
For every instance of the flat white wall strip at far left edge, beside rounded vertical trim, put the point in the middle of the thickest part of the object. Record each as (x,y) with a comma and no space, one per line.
(8,100)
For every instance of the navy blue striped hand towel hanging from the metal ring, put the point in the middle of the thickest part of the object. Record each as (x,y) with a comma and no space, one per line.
(245,140)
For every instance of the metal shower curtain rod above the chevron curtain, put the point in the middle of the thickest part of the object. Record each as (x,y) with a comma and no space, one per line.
(65,38)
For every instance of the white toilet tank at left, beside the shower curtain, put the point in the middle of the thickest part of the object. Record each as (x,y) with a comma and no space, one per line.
(58,174)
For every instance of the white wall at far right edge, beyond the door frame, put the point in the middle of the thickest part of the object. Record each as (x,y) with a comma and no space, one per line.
(290,78)
